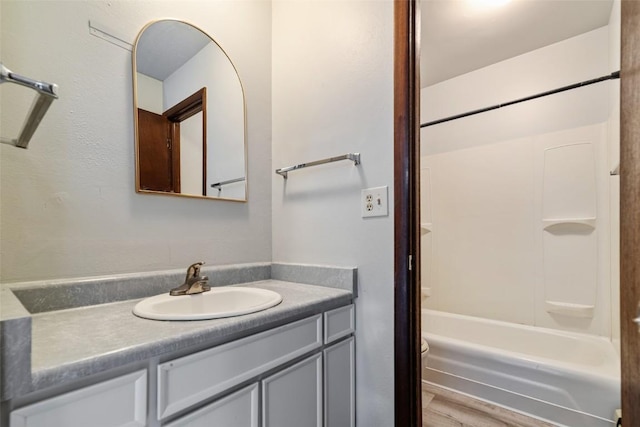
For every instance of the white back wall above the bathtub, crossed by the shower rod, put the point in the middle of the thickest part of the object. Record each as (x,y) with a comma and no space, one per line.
(484,181)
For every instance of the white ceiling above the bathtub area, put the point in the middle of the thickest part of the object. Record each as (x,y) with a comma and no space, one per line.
(459,36)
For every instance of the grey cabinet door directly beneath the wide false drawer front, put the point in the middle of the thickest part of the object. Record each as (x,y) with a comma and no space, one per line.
(239,409)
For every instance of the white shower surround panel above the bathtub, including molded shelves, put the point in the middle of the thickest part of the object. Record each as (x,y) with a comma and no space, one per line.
(515,231)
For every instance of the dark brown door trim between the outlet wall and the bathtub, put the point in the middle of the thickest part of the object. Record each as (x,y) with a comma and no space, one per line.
(408,405)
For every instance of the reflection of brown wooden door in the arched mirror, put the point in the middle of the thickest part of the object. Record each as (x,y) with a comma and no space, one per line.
(159,158)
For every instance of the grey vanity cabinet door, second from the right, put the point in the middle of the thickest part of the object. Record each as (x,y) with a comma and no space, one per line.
(293,396)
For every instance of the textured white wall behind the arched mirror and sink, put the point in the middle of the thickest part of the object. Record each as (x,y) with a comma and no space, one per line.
(68,204)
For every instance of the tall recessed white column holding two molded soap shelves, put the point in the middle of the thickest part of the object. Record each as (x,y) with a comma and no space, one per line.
(569,223)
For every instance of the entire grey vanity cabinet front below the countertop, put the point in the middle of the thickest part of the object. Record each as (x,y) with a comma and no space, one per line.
(300,374)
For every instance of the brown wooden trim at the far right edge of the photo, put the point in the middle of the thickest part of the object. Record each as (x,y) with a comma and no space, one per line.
(630,210)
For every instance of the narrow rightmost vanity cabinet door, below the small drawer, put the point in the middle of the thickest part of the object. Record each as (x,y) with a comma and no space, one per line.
(339,384)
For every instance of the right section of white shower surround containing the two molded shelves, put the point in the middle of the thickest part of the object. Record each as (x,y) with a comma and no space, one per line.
(573,232)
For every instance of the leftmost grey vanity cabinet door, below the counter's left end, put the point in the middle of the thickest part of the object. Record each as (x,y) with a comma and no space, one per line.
(118,402)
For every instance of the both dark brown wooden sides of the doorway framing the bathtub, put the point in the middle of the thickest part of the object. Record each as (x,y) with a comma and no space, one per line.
(406,211)
